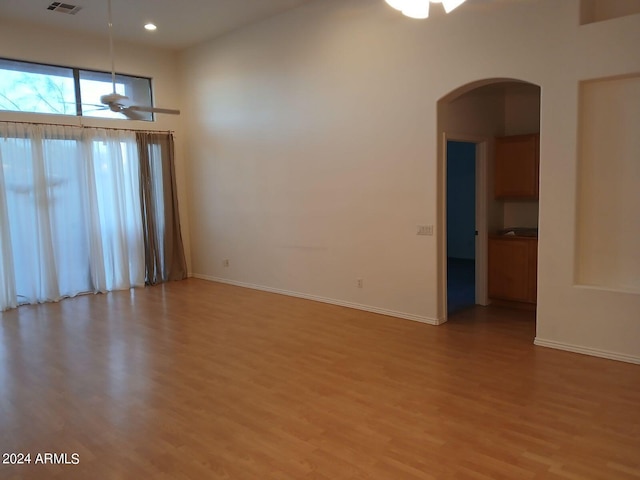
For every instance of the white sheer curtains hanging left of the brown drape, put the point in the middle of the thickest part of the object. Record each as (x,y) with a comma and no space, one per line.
(69,212)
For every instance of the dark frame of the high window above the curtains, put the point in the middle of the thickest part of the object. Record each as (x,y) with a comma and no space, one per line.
(76,76)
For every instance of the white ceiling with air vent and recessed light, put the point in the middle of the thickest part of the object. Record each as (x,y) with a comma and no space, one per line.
(181,23)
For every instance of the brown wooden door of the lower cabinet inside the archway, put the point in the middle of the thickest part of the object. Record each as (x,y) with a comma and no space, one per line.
(509,266)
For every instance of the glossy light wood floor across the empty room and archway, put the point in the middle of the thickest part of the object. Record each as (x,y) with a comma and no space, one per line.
(198,380)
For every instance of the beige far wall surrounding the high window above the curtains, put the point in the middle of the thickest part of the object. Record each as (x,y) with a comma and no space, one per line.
(20,41)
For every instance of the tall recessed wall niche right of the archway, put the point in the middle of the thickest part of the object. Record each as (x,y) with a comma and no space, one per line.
(608,224)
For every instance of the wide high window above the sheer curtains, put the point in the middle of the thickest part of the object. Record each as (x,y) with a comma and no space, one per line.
(37,88)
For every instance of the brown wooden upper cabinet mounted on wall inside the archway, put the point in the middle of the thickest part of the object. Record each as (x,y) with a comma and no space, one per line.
(517,166)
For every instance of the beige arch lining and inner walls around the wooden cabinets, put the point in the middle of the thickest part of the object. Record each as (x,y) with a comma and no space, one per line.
(477,113)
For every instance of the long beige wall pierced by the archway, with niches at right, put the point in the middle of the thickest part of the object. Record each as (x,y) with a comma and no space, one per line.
(314,152)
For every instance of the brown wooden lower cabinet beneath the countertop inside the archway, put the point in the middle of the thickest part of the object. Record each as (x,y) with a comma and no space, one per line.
(513,268)
